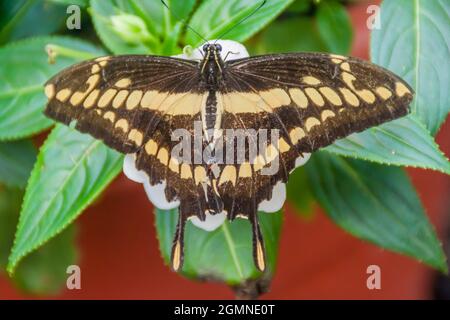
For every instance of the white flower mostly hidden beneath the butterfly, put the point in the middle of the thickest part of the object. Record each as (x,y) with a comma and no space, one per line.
(156,194)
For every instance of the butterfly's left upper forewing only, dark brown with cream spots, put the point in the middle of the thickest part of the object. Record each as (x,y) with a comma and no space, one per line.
(121,99)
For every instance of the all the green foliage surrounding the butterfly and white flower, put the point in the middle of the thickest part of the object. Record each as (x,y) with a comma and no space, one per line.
(371,201)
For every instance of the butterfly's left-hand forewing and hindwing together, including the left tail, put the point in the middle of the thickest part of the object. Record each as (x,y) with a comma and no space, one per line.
(134,104)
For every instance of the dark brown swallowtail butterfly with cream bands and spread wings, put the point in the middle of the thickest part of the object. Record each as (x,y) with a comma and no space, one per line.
(134,103)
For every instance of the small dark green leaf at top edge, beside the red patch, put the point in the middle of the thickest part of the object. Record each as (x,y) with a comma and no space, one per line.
(335,27)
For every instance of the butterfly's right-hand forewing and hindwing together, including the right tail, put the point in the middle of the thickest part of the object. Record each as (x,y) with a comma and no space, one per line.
(312,99)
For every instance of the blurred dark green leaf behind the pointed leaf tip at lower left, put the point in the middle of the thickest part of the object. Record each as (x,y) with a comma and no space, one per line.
(44,271)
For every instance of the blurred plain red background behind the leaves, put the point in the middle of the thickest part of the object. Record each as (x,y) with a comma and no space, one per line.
(120,259)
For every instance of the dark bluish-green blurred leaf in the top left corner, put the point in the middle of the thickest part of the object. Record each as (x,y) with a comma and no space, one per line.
(18,19)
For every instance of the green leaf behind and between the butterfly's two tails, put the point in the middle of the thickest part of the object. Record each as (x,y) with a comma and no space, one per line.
(224,254)
